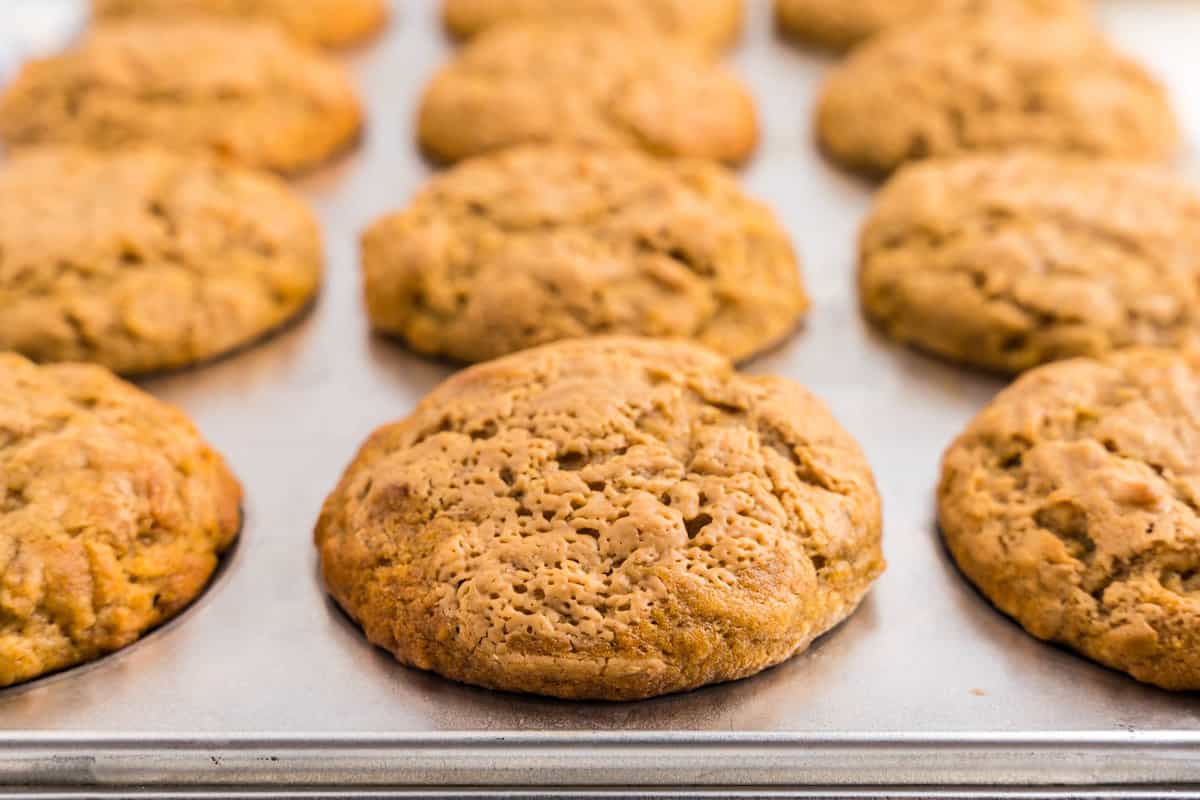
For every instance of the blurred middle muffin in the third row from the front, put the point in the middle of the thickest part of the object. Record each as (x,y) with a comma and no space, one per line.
(585,85)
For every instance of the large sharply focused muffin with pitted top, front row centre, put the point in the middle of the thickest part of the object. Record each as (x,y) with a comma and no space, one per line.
(608,519)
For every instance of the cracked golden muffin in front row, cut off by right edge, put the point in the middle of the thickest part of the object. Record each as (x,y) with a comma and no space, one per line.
(1073,503)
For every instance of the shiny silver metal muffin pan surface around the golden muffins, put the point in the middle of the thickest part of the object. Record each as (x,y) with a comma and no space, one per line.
(265,683)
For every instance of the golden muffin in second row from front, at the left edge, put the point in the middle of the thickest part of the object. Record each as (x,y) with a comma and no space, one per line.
(146,261)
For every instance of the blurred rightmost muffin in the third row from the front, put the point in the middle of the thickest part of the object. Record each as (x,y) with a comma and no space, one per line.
(955,86)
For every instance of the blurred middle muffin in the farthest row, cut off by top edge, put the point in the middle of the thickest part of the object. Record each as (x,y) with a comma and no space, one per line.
(709,25)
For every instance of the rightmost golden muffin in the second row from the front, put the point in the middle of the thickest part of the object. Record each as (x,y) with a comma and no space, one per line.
(1009,262)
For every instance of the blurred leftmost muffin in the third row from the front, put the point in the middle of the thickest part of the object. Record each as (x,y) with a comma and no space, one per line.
(236,89)
